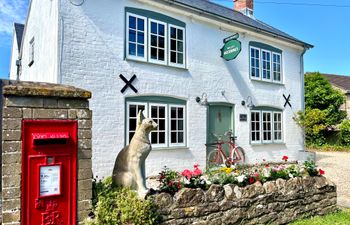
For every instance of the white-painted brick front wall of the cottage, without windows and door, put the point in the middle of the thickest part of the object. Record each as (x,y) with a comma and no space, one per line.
(93,57)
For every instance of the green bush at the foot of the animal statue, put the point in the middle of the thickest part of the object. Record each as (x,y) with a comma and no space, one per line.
(120,206)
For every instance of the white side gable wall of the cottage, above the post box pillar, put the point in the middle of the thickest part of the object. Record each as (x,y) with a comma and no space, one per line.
(42,24)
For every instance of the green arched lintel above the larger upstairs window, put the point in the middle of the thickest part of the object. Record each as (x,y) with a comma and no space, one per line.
(156,16)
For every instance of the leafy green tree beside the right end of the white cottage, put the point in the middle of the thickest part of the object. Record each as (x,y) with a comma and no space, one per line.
(322,108)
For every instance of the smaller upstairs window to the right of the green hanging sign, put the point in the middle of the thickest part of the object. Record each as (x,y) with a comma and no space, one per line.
(265,63)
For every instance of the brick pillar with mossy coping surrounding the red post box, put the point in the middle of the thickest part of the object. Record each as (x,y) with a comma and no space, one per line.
(25,100)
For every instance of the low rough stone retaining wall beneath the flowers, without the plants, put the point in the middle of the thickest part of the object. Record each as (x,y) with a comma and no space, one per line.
(277,202)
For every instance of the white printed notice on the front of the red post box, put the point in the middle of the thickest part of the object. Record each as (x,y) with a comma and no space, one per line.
(50,180)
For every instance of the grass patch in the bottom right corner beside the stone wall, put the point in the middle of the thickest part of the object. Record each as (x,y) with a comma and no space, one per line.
(339,218)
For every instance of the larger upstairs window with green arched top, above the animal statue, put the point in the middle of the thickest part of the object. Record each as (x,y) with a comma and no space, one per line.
(155,38)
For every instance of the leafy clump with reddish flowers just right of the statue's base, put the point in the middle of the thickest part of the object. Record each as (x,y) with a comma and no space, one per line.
(169,181)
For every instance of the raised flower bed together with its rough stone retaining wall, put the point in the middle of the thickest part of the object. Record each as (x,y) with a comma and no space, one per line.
(259,194)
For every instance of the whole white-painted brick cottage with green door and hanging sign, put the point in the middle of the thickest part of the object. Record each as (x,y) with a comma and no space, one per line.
(195,67)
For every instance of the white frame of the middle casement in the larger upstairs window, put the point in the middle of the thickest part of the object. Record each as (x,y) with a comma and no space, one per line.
(165,62)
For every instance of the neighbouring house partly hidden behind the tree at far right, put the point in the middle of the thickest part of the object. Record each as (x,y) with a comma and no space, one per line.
(341,83)
